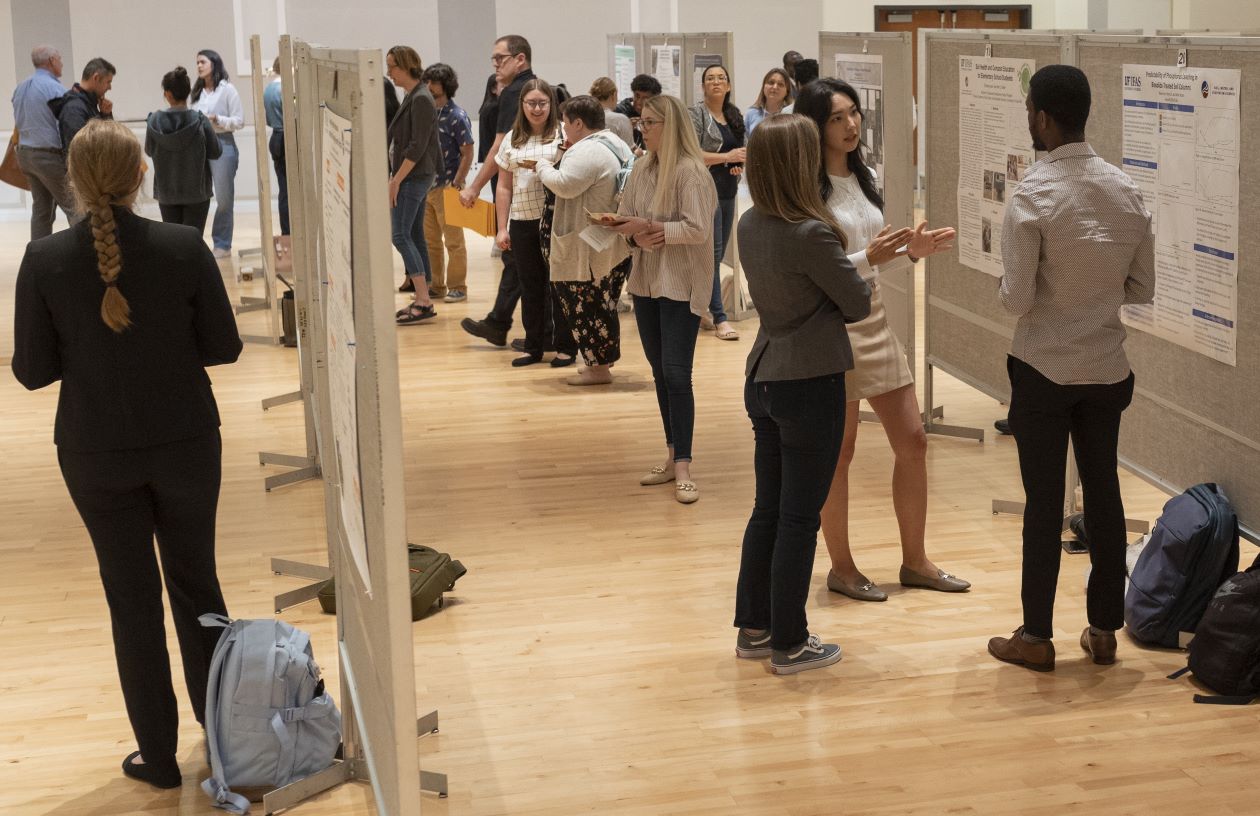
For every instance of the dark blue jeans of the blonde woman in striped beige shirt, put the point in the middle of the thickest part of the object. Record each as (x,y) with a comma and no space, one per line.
(668,331)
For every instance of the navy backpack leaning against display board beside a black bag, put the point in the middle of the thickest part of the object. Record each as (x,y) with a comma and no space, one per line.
(1193,551)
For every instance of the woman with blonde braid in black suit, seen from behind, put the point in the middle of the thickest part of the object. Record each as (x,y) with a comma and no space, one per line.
(128,313)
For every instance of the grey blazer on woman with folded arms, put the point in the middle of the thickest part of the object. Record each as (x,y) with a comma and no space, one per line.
(807,290)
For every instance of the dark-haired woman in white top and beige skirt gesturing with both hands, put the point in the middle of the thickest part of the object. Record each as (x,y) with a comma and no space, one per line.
(880,373)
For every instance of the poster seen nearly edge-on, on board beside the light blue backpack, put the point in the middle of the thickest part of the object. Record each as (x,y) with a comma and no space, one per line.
(340,310)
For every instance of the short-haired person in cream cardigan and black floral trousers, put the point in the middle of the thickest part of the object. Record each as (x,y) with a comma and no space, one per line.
(585,280)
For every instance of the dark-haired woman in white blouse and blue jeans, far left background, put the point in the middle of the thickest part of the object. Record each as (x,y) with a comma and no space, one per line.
(221,104)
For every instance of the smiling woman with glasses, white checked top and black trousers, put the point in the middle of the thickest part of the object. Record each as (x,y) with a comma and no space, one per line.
(535,135)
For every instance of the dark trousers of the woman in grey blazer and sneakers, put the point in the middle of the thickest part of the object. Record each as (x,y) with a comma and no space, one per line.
(798,428)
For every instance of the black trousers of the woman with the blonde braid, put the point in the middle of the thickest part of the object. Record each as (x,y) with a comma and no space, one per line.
(127,498)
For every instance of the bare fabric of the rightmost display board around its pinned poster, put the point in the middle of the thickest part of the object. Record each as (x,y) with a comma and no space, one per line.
(1193,419)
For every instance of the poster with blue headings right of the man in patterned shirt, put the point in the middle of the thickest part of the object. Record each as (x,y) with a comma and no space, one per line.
(1181,145)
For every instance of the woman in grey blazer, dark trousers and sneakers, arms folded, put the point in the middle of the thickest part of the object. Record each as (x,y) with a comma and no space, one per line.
(794,392)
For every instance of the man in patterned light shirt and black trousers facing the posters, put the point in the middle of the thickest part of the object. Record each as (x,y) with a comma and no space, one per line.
(1077,246)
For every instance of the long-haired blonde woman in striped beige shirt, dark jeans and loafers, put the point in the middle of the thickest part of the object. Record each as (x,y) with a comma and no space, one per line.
(667,211)
